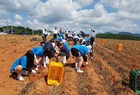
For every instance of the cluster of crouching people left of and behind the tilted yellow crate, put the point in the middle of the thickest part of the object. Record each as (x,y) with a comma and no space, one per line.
(29,62)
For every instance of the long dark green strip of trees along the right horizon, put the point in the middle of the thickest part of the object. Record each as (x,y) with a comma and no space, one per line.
(117,36)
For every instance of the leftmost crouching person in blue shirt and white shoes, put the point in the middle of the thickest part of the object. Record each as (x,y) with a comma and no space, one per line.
(24,63)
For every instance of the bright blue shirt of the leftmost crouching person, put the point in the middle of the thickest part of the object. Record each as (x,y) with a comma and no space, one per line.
(20,61)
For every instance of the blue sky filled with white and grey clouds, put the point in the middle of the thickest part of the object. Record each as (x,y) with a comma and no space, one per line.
(82,15)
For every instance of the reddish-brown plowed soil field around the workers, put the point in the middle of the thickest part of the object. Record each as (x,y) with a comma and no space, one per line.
(107,73)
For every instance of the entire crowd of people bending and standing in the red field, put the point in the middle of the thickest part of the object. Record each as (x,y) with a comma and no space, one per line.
(56,47)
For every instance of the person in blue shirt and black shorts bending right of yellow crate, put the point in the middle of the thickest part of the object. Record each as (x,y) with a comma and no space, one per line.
(81,53)
